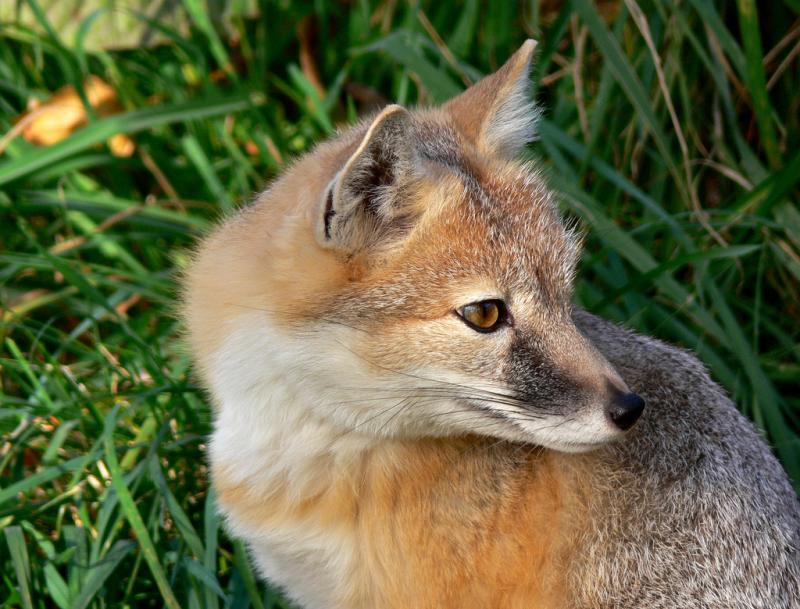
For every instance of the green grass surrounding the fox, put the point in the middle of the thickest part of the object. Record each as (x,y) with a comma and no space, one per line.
(671,130)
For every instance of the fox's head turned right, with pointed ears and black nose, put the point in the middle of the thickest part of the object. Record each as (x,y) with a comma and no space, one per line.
(410,278)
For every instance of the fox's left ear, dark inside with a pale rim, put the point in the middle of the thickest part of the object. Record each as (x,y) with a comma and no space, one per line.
(361,204)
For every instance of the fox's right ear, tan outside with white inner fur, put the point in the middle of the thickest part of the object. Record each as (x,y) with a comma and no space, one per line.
(497,114)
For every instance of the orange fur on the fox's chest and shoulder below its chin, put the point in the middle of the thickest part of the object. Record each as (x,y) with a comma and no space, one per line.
(438,523)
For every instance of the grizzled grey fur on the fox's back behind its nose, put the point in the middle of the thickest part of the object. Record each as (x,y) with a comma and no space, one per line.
(692,509)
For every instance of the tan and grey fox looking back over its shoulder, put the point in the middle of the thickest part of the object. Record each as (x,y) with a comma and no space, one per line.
(410,411)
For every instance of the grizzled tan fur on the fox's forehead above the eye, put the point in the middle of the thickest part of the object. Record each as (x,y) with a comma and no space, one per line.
(498,224)
